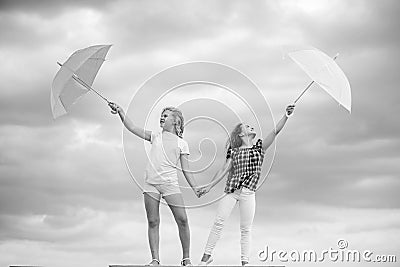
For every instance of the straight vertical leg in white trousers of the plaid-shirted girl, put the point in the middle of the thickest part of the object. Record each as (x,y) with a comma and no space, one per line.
(247,206)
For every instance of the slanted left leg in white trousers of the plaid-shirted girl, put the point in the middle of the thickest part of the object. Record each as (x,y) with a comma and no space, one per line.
(225,208)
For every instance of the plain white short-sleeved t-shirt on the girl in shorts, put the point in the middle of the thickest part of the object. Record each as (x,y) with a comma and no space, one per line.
(164,155)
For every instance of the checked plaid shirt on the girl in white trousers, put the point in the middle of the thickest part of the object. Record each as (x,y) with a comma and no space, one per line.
(246,167)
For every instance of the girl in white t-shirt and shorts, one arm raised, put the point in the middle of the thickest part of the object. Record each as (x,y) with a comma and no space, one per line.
(161,180)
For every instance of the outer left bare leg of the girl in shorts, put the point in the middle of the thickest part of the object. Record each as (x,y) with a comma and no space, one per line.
(152,206)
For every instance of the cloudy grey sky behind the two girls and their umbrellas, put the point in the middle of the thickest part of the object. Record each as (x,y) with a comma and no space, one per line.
(67,197)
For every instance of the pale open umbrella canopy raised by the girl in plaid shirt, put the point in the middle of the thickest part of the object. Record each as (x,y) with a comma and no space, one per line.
(324,71)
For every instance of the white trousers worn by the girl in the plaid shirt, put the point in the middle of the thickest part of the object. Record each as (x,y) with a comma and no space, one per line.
(247,206)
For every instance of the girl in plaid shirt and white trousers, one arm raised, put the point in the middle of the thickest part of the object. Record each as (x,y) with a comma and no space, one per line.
(243,162)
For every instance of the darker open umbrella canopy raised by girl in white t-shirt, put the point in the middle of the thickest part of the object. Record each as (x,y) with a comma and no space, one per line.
(76,77)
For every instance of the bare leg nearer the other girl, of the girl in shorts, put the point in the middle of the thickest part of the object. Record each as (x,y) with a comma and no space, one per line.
(177,206)
